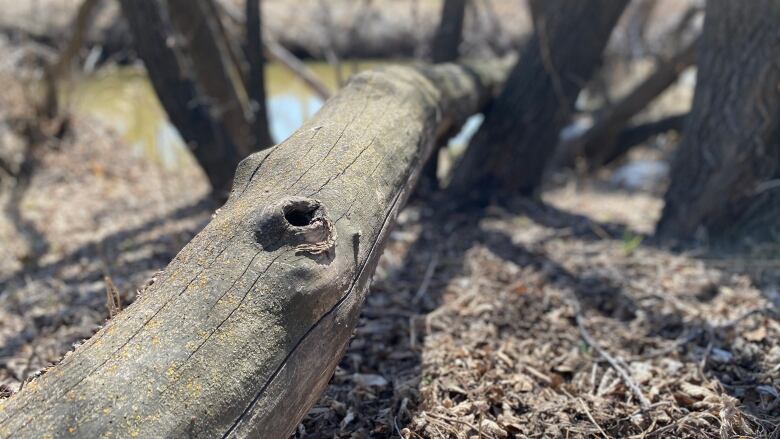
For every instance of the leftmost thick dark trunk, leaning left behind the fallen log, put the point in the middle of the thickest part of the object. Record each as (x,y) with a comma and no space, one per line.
(210,143)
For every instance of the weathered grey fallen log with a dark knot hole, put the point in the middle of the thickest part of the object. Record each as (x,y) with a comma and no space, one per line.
(242,331)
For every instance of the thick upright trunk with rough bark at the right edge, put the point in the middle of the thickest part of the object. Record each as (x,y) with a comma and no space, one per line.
(731,141)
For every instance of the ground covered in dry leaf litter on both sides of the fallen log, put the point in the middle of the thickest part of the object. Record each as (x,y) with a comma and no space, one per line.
(543,319)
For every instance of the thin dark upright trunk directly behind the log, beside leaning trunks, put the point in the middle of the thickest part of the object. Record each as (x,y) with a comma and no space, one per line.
(256,83)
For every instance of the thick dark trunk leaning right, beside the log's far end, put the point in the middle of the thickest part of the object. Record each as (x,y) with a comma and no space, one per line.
(520,130)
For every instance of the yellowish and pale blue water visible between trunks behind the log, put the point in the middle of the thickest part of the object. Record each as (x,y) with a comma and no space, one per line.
(123,98)
